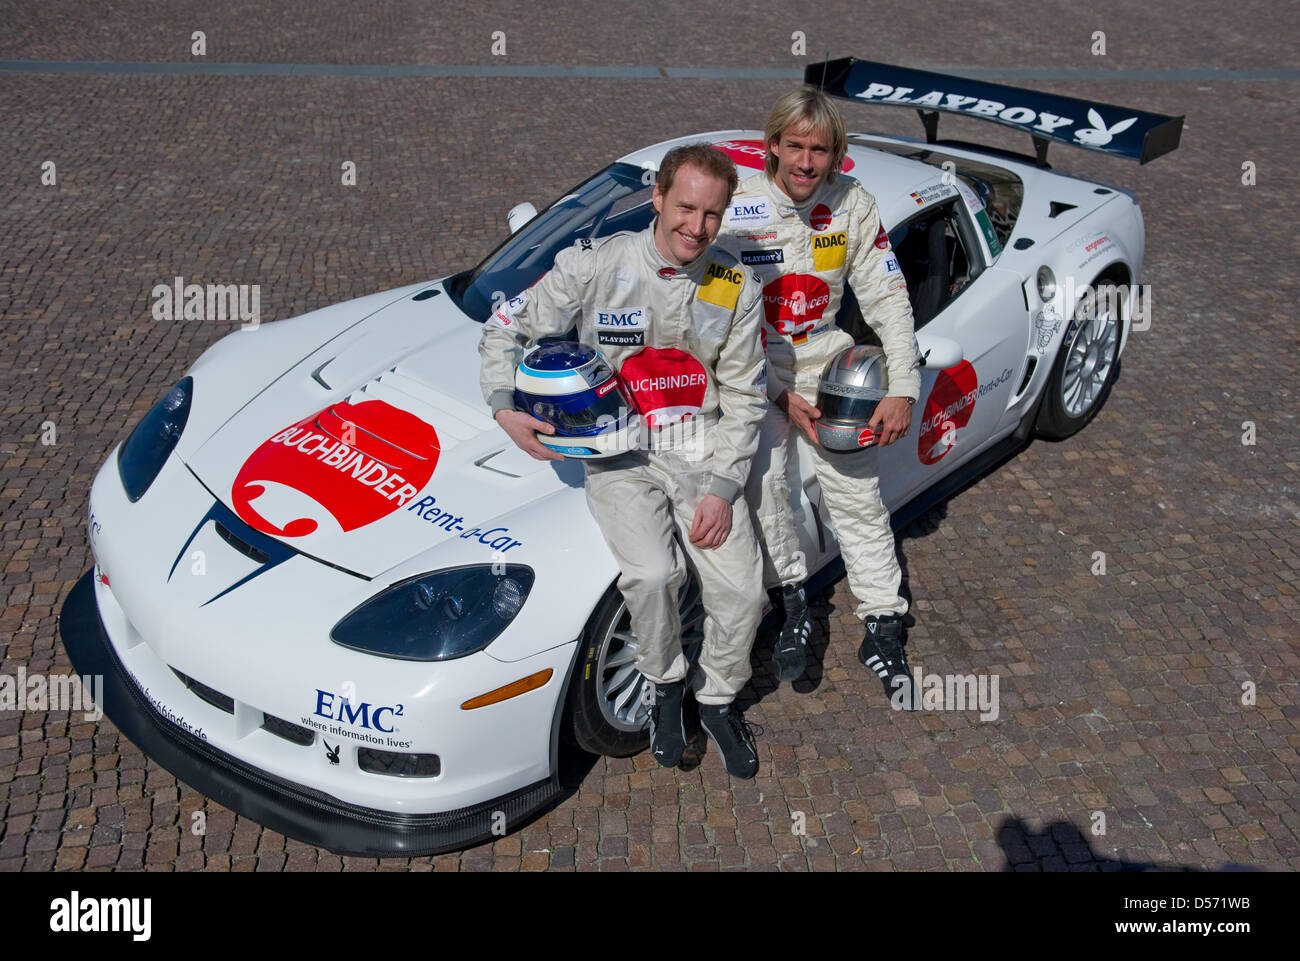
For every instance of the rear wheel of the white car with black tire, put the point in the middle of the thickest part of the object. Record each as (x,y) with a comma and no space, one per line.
(1074,392)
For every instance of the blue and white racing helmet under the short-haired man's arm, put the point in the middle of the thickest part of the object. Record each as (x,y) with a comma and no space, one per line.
(574,388)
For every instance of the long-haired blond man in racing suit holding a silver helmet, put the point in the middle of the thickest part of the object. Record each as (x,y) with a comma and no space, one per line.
(807,232)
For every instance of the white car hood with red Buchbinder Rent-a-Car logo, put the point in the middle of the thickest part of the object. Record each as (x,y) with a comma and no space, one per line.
(378,448)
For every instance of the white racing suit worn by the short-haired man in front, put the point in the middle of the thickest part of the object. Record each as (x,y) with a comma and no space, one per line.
(686,343)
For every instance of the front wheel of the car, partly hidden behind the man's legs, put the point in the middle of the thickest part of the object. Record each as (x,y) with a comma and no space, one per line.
(609,699)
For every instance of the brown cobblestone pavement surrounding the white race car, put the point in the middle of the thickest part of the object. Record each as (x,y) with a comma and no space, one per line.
(1121,694)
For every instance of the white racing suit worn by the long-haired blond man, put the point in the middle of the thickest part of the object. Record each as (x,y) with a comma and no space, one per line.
(805,254)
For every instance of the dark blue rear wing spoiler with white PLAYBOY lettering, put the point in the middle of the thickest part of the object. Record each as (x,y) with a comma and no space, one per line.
(1046,118)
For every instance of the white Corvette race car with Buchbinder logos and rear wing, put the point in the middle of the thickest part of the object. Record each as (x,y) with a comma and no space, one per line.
(331,594)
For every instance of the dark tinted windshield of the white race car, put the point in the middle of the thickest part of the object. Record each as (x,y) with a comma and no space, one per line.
(616,200)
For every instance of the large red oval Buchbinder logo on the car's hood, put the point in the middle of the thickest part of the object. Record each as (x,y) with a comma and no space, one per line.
(344,467)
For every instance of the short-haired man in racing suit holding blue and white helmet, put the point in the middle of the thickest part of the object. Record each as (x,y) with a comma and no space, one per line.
(687,348)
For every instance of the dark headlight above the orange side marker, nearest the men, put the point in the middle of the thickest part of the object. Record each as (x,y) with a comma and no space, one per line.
(439,617)
